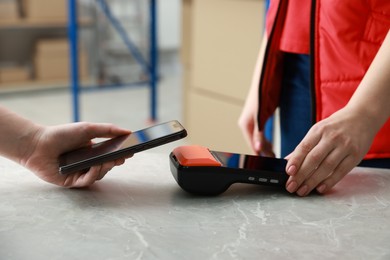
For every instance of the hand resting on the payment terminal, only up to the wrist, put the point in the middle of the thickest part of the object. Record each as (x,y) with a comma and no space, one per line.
(330,150)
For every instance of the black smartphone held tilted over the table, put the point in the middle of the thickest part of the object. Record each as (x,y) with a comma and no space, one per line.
(121,147)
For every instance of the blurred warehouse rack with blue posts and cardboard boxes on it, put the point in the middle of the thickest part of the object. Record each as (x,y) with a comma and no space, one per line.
(24,32)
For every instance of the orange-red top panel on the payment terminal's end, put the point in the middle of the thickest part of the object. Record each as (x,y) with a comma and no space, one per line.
(195,156)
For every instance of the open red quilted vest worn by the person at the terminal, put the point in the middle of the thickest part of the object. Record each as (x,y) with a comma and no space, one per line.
(344,39)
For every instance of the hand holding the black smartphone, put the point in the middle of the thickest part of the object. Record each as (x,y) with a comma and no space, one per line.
(48,143)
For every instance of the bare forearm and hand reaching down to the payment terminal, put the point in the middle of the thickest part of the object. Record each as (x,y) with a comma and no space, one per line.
(338,143)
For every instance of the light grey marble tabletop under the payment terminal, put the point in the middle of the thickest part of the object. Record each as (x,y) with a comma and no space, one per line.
(139,212)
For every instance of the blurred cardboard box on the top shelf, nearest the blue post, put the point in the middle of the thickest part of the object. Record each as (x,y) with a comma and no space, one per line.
(45,10)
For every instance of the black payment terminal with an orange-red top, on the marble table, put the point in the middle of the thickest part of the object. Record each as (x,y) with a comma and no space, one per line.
(199,170)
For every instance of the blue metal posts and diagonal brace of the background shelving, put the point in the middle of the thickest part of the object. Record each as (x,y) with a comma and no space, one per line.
(150,67)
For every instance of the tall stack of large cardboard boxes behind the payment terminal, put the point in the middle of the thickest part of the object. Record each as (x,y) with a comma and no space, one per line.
(220,46)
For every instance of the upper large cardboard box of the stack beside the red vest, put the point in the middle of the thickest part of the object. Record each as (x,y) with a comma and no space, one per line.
(225,41)
